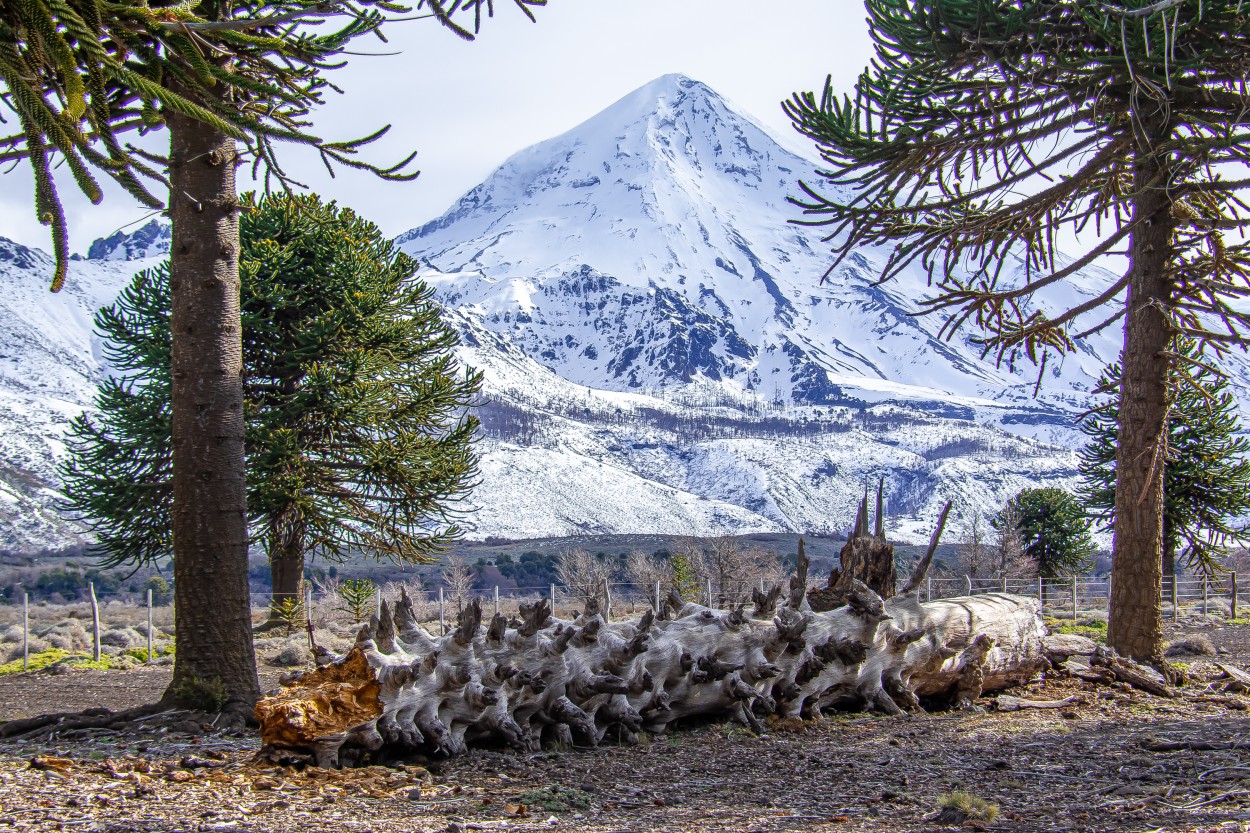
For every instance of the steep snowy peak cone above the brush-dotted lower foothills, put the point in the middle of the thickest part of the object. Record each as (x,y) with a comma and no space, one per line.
(652,247)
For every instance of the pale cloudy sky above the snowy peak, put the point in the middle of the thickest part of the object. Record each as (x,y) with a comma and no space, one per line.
(466,108)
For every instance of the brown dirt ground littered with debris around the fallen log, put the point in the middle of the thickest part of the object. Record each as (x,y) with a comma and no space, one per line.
(1086,767)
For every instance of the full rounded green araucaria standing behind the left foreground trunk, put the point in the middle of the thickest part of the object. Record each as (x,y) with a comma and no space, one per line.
(358,433)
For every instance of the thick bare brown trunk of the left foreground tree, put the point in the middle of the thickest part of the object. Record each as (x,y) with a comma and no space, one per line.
(212,608)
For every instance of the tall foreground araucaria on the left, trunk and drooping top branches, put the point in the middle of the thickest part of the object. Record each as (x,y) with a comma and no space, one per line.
(79,74)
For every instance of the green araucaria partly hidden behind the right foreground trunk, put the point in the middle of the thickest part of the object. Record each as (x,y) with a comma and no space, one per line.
(1207,475)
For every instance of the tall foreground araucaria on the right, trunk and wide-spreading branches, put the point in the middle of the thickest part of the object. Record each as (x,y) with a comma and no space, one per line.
(984,129)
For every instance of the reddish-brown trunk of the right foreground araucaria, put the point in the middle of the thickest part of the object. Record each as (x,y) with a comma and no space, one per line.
(1136,621)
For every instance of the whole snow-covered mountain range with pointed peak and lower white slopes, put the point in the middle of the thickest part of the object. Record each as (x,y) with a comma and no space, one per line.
(661,353)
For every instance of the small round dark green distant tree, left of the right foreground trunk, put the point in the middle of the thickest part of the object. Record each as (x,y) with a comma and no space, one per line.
(1054,531)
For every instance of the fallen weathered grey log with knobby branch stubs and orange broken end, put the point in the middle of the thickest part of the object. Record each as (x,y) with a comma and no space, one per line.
(541,680)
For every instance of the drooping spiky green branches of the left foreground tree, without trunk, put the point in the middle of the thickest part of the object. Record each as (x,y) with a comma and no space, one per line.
(81,74)
